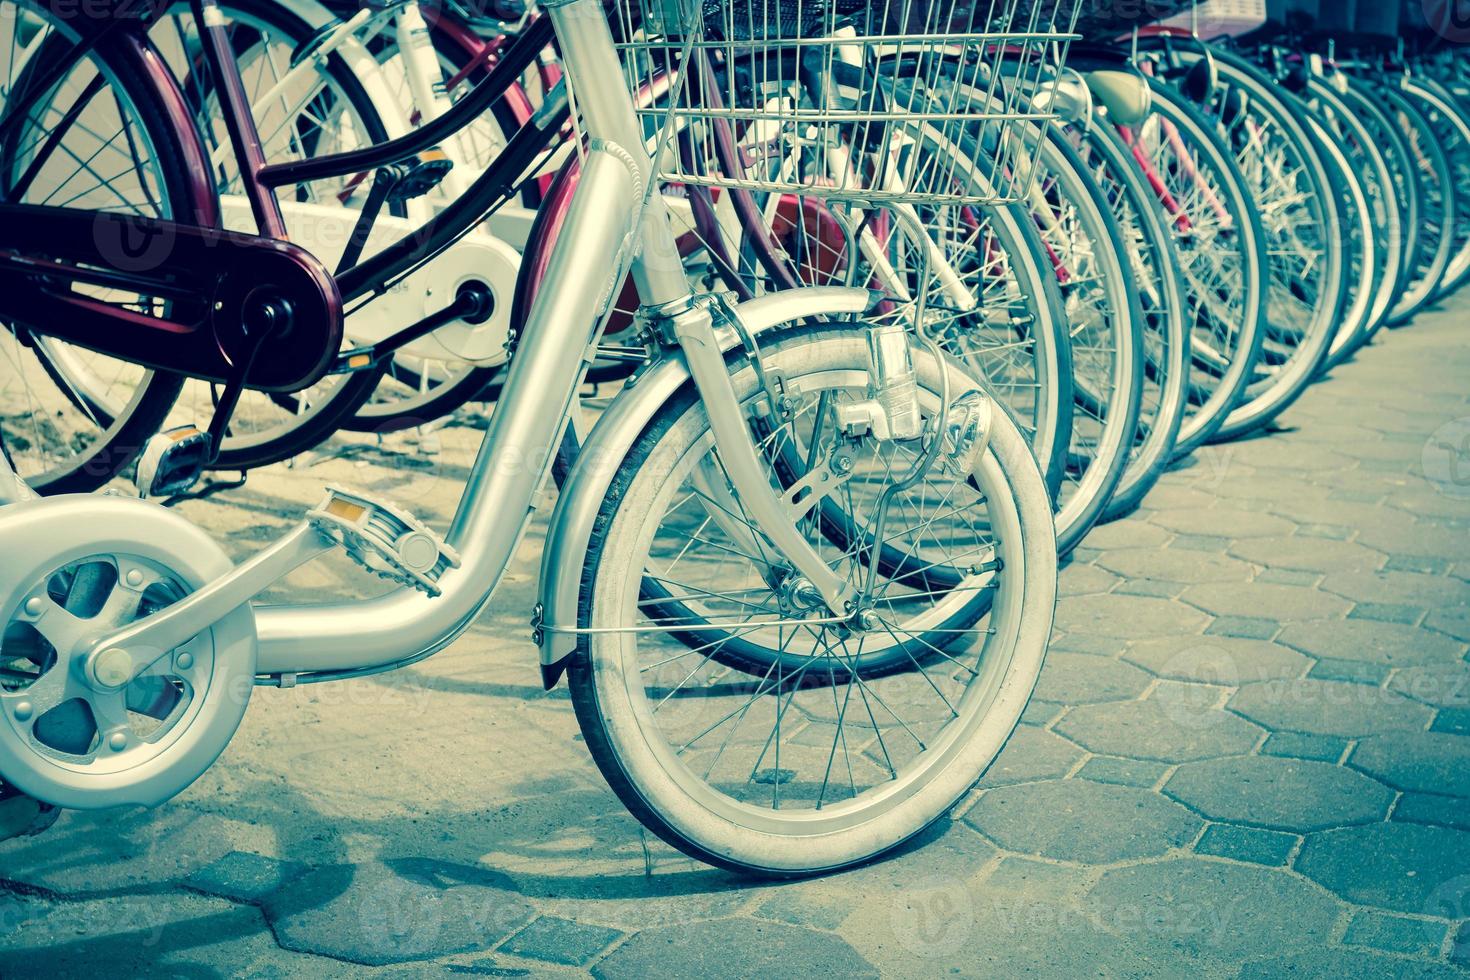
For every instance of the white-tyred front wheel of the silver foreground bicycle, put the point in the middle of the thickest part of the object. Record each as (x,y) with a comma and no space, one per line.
(809,766)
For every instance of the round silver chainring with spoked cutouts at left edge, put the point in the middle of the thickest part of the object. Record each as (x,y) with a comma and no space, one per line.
(80,568)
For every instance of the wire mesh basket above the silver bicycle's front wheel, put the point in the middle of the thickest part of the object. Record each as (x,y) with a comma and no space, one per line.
(889,101)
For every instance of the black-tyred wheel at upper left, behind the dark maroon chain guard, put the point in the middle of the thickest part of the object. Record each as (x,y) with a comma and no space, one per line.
(99,137)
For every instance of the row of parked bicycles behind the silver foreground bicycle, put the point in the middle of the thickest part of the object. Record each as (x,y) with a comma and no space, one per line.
(1215,226)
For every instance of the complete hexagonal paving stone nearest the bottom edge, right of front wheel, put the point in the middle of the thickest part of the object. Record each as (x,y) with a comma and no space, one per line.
(1213,907)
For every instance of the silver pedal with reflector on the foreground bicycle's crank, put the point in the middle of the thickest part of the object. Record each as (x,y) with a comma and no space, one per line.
(386,540)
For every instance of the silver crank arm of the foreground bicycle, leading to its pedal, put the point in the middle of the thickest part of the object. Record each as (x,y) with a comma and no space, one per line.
(118,657)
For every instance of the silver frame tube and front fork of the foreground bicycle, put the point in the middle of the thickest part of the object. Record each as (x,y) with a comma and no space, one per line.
(615,224)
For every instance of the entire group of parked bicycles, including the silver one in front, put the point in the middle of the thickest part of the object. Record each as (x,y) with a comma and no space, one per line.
(897,300)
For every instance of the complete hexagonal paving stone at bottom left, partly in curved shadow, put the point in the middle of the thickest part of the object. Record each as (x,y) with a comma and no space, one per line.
(412,909)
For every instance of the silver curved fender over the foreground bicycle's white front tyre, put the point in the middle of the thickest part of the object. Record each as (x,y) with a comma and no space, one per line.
(565,553)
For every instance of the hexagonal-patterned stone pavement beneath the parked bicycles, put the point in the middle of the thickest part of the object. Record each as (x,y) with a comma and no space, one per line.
(1249,754)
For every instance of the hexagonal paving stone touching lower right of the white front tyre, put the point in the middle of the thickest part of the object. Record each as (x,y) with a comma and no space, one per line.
(1081,821)
